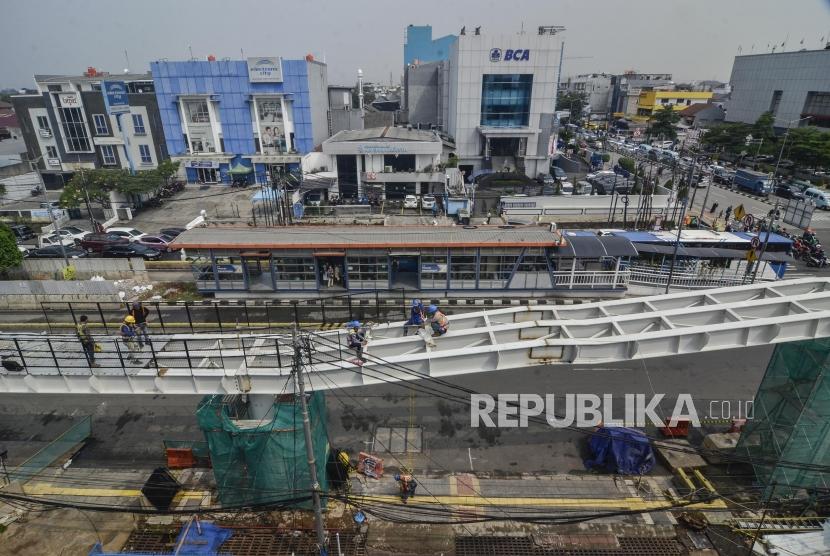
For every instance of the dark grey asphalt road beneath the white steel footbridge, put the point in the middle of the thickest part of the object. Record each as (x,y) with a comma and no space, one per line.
(128,430)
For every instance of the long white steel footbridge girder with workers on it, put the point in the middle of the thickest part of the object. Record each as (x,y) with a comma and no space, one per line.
(499,339)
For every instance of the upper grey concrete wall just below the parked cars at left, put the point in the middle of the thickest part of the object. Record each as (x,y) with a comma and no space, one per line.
(111,269)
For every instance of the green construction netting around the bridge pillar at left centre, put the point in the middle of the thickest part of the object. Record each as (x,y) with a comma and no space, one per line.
(263,461)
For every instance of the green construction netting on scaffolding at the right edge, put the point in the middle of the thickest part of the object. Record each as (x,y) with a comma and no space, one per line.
(791,420)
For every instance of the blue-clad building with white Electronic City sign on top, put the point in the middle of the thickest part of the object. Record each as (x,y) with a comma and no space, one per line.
(241,119)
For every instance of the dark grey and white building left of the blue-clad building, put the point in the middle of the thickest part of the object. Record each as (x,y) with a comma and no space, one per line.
(67,125)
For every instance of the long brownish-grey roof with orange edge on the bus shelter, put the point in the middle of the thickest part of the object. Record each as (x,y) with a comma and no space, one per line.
(311,237)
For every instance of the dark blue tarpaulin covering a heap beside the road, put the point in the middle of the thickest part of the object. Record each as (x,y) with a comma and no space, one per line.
(620,450)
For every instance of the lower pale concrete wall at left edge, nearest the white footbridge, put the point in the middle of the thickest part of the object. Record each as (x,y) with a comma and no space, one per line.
(30,294)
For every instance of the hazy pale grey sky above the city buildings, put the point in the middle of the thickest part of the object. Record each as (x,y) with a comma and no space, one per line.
(693,39)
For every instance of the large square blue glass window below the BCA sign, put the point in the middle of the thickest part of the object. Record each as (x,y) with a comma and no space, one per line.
(505,100)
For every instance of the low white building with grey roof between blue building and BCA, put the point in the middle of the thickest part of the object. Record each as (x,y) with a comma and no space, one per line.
(385,162)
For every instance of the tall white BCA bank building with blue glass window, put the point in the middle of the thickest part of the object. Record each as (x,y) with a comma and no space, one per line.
(501,100)
